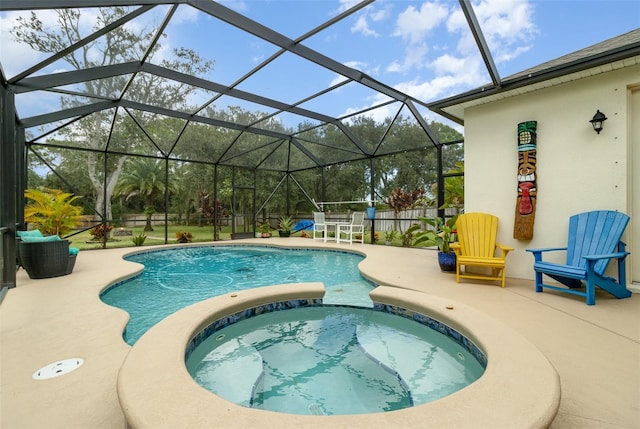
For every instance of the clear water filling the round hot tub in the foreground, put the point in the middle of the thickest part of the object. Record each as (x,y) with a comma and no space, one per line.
(331,360)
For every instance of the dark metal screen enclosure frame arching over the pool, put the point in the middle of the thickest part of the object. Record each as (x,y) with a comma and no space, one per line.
(15,145)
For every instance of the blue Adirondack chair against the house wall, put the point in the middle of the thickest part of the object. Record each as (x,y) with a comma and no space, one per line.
(594,240)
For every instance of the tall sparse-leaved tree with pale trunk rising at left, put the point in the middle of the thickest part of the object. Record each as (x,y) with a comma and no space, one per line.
(122,44)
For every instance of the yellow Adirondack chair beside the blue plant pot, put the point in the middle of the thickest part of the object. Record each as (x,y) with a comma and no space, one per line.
(477,247)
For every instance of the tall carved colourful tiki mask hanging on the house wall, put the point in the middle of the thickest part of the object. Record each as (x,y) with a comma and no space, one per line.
(527,186)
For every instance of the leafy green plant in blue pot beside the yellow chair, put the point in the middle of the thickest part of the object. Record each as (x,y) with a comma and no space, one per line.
(442,235)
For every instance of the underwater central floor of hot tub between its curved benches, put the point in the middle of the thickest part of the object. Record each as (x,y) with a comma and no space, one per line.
(320,370)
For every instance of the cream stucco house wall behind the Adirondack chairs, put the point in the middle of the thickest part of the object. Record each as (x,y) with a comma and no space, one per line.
(577,169)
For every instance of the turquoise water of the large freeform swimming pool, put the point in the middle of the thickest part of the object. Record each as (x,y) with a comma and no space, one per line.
(175,278)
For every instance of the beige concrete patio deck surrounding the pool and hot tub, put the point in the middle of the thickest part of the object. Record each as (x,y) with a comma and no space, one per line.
(595,349)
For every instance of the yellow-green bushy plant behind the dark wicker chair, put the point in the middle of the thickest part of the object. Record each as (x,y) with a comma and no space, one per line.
(52,211)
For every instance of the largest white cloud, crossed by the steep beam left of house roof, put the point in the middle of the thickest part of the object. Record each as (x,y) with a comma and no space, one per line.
(508,27)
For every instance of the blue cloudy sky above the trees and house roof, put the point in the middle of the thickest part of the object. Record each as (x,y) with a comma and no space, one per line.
(422,48)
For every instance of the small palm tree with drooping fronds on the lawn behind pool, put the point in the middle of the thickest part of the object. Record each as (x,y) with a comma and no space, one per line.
(144,177)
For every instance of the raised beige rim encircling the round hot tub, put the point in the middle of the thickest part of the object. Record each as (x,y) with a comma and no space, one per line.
(155,389)
